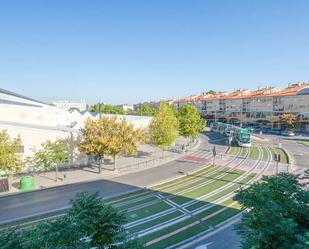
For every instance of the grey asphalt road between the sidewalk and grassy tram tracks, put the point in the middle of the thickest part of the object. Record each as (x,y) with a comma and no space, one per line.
(33,203)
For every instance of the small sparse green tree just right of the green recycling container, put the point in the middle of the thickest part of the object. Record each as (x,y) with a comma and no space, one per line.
(52,154)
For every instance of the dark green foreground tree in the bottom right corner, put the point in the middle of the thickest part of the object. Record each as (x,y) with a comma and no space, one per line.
(277,213)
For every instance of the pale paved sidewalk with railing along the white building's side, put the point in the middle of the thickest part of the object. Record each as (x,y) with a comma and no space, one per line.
(148,156)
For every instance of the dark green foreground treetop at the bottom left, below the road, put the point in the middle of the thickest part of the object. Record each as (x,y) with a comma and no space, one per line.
(89,223)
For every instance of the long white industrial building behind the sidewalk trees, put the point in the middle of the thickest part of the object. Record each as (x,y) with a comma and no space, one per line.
(36,122)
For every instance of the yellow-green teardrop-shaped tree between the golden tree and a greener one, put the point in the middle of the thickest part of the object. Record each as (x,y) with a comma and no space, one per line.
(164,127)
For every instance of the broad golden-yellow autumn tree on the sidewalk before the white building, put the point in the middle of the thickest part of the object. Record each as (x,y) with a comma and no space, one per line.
(107,136)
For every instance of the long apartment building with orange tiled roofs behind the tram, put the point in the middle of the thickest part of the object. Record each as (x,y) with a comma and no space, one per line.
(262,106)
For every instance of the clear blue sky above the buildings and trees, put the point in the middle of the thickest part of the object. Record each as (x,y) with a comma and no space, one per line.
(127,51)
